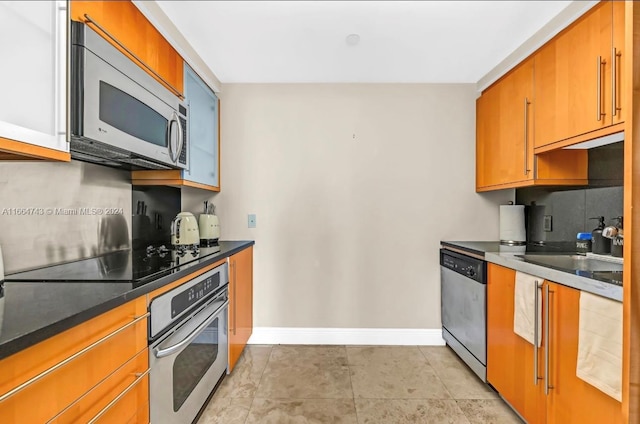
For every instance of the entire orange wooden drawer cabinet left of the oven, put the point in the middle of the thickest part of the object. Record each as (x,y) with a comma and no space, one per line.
(71,389)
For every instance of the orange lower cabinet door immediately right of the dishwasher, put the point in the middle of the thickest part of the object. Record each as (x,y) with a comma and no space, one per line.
(510,359)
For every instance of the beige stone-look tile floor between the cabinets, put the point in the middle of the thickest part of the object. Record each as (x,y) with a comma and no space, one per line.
(354,385)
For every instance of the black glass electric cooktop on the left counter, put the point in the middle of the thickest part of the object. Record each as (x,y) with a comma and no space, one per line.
(134,266)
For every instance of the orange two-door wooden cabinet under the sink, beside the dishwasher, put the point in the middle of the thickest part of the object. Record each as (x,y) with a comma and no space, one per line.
(510,359)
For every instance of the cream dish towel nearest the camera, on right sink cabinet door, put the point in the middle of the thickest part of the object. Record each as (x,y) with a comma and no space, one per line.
(600,344)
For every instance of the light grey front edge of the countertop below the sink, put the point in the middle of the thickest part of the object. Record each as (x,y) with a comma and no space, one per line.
(600,288)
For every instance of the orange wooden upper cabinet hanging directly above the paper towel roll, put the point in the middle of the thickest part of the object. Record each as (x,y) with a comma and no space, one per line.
(505,157)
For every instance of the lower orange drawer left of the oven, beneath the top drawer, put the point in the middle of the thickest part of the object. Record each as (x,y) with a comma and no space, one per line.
(98,398)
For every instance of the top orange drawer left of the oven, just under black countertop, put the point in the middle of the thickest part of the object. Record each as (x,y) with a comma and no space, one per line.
(55,379)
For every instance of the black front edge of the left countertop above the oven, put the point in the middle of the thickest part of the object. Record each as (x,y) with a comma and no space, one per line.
(24,341)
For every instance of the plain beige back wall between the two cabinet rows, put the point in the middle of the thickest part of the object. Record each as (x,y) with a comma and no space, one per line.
(353,185)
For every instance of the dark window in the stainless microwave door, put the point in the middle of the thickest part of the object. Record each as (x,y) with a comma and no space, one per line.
(130,115)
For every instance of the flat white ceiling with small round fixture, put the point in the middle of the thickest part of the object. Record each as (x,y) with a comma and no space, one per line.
(400,41)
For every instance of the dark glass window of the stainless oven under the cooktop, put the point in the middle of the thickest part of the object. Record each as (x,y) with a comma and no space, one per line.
(193,362)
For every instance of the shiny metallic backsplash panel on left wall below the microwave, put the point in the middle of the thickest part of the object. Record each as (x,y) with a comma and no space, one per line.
(58,212)
